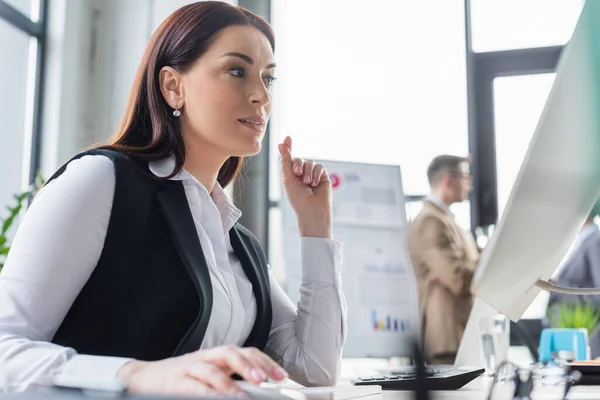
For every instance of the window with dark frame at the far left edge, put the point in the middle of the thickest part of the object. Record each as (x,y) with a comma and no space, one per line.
(21,44)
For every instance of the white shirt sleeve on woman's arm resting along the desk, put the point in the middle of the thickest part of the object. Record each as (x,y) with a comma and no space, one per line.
(55,250)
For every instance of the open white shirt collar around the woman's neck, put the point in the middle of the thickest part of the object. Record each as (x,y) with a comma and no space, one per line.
(230,214)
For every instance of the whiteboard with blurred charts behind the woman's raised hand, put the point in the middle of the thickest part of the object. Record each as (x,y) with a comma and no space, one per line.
(369,218)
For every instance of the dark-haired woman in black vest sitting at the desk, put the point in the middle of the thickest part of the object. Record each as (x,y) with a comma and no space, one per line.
(130,263)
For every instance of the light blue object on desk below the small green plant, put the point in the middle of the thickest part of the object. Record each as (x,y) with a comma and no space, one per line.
(572,340)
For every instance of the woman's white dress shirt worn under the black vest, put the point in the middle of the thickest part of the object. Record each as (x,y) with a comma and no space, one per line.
(59,243)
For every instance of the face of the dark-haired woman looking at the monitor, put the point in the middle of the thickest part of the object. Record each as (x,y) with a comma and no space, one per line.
(226,95)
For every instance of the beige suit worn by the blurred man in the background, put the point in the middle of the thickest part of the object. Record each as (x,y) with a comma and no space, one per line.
(444,257)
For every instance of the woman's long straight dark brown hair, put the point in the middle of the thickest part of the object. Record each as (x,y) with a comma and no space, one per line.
(149,131)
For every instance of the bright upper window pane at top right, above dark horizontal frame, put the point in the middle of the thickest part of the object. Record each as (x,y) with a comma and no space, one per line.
(517,24)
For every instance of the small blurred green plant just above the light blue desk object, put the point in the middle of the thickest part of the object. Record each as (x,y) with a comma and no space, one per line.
(575,315)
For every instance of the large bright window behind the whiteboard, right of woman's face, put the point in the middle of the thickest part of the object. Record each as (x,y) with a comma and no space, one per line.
(383,83)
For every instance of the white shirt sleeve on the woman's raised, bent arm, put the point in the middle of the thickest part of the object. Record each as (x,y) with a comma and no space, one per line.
(307,341)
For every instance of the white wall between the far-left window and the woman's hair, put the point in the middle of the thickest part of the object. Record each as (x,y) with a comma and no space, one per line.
(94,49)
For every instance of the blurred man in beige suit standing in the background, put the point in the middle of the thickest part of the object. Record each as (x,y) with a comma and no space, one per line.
(444,257)
